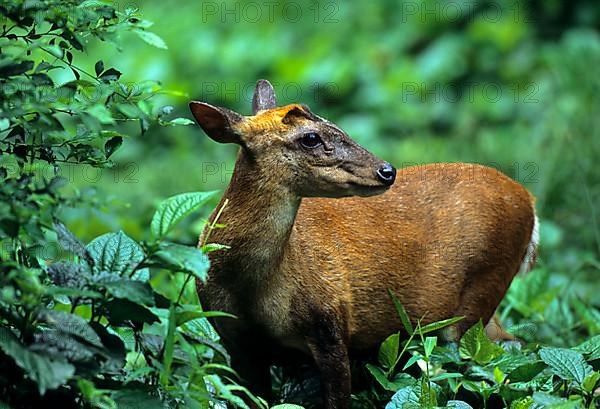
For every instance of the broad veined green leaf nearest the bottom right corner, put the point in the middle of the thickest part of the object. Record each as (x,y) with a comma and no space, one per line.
(566,363)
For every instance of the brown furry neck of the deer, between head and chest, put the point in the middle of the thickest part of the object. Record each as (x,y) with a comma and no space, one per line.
(258,216)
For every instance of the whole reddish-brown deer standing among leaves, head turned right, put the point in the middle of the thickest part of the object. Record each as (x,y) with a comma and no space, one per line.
(318,229)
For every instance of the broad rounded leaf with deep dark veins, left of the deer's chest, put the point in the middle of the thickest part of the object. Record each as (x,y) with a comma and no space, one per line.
(115,252)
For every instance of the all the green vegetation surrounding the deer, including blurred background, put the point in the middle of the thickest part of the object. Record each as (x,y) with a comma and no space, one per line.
(87,142)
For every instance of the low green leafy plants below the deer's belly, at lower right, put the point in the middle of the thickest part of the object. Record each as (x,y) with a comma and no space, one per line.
(477,372)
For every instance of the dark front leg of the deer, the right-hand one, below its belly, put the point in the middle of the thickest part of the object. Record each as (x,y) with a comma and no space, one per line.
(330,353)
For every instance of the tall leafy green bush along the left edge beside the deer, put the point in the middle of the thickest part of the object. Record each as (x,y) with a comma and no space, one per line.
(115,322)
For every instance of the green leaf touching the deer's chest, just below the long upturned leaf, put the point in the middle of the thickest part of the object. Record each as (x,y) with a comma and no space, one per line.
(183,258)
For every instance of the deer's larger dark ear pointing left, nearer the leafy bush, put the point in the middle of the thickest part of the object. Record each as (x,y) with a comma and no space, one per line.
(218,123)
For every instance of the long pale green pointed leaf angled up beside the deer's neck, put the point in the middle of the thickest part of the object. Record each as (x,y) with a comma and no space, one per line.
(174,209)
